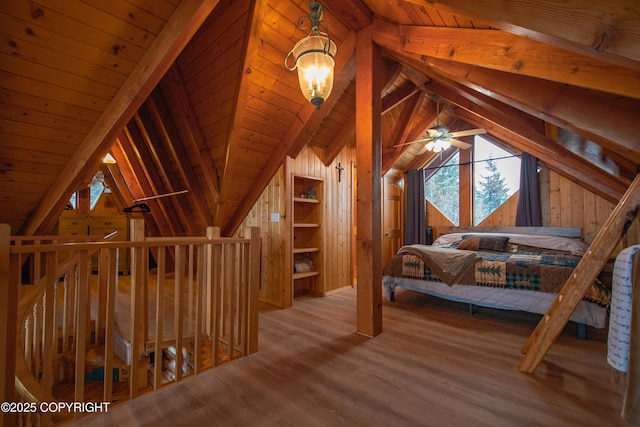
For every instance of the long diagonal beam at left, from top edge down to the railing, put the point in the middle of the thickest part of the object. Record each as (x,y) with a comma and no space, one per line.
(163,51)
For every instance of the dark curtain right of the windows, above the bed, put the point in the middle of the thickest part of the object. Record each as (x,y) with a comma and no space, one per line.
(529,212)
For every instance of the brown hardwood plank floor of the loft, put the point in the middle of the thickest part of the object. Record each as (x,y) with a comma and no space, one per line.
(434,365)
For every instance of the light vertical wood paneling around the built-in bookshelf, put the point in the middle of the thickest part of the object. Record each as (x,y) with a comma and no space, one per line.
(338,223)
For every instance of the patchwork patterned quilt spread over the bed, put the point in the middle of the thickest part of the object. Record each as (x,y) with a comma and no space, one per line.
(517,267)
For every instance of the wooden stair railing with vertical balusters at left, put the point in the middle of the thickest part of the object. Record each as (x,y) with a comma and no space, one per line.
(84,333)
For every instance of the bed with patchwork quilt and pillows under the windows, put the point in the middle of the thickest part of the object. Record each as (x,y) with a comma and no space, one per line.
(505,268)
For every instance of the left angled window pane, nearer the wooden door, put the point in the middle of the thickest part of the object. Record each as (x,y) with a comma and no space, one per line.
(442,190)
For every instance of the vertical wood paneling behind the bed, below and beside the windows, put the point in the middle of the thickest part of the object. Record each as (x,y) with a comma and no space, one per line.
(564,204)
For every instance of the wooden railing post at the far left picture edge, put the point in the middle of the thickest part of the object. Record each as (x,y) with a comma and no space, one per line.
(8,325)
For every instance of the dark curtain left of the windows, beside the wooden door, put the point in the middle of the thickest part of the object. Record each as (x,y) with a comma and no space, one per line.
(415,224)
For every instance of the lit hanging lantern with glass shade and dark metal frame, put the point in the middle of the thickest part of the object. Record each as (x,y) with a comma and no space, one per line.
(314,57)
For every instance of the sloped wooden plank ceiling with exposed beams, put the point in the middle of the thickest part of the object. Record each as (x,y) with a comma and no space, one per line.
(193,95)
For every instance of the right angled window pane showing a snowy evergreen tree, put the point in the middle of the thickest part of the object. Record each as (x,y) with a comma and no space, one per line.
(496,177)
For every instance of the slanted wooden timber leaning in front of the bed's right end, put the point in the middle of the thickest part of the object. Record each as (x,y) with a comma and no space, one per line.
(584,274)
